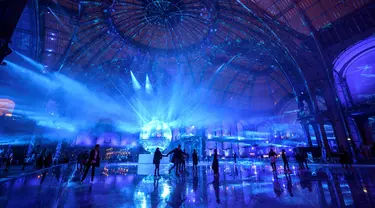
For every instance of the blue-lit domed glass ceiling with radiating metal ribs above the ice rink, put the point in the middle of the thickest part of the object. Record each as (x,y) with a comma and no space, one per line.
(239,50)
